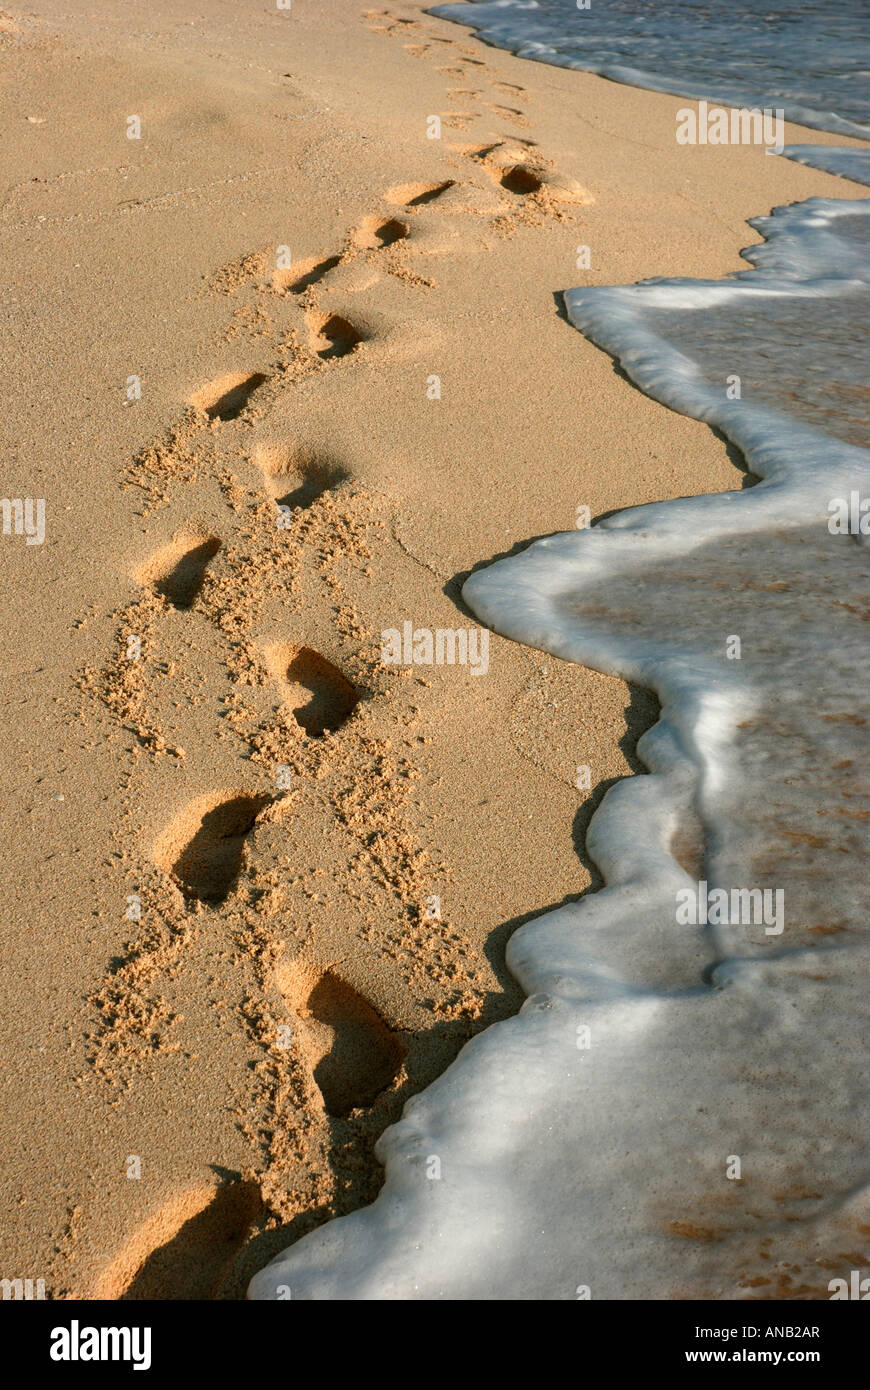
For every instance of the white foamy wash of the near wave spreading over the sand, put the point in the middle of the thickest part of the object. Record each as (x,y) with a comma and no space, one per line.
(680,1109)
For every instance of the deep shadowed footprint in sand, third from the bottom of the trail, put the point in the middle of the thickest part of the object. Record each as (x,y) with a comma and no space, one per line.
(204,849)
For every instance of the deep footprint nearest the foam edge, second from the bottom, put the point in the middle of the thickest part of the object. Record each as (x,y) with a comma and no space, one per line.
(352,1053)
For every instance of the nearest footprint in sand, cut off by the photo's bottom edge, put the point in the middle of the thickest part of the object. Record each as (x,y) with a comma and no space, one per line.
(188,1249)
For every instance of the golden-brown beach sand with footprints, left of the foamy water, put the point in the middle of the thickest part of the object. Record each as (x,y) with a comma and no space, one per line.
(198,723)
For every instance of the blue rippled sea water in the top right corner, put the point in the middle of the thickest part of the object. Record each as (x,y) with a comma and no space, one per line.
(808,58)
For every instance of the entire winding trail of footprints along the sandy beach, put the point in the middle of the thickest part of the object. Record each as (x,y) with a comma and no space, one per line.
(190,1249)
